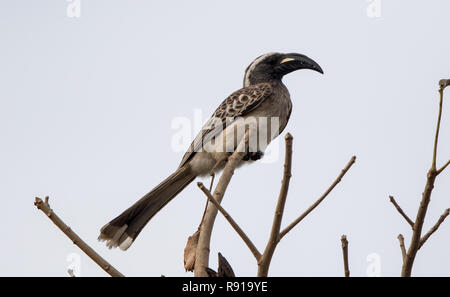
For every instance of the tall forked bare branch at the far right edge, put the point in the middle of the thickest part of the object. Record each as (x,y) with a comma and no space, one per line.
(416,239)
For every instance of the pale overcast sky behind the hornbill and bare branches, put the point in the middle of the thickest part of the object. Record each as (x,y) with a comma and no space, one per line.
(86,106)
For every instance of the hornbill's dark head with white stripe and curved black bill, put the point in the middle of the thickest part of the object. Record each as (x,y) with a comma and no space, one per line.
(274,66)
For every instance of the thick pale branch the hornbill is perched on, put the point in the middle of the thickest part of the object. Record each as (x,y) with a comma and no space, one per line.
(202,254)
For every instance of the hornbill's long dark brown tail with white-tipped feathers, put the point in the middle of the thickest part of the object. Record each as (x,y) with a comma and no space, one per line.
(123,230)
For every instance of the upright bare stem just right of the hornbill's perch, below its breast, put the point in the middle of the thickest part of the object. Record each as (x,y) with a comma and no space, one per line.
(263,265)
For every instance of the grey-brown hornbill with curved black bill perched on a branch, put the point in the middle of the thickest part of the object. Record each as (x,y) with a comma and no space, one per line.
(263,98)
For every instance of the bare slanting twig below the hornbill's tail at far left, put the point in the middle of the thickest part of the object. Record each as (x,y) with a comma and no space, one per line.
(44,206)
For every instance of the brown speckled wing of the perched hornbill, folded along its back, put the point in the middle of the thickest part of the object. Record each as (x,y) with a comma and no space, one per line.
(237,104)
